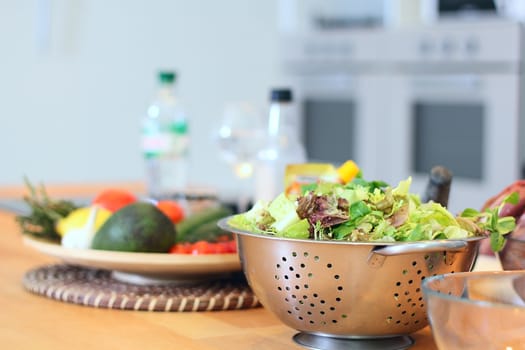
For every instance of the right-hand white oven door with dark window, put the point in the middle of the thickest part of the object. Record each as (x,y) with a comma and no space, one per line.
(468,123)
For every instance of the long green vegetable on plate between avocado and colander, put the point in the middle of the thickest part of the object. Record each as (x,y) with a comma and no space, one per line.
(207,218)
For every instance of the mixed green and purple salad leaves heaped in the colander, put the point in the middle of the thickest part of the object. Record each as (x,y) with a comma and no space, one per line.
(363,211)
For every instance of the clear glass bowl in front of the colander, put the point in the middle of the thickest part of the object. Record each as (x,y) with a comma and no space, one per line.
(477,310)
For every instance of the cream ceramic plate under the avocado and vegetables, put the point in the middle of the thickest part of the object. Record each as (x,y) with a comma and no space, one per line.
(143,267)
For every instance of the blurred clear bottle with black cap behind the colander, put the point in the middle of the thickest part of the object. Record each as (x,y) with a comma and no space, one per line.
(282,147)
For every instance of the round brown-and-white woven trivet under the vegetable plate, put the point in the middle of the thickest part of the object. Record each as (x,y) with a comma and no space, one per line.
(97,288)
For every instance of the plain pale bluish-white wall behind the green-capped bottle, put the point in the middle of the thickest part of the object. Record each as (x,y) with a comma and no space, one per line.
(71,101)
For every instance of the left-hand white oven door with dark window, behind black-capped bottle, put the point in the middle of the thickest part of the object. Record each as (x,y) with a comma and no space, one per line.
(339,114)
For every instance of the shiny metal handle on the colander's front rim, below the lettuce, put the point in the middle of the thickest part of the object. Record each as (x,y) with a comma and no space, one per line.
(426,247)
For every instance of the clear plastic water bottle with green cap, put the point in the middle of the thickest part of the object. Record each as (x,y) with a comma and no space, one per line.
(165,141)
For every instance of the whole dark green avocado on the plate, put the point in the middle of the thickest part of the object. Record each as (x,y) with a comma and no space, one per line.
(137,227)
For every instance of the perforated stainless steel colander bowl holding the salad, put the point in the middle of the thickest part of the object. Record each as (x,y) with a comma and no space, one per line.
(344,289)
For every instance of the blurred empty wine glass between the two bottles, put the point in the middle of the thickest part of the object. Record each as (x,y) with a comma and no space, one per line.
(240,137)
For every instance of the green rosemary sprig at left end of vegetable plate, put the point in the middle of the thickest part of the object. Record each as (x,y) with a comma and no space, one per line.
(44,213)
